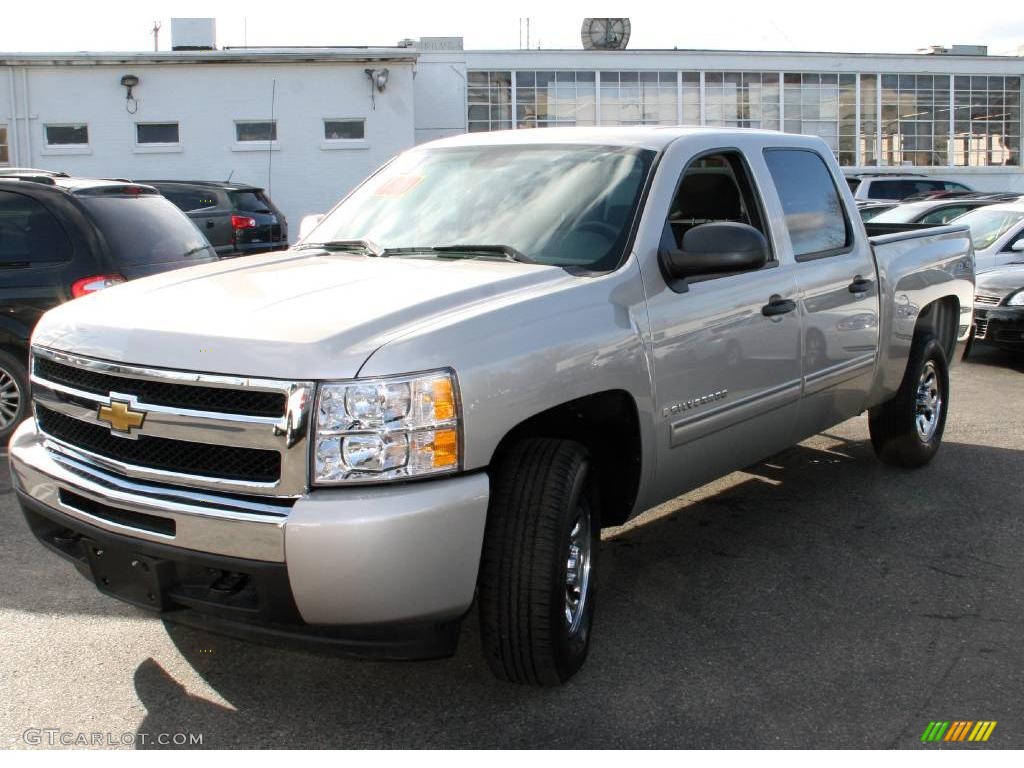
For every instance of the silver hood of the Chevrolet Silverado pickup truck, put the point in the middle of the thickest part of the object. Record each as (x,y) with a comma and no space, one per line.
(296,315)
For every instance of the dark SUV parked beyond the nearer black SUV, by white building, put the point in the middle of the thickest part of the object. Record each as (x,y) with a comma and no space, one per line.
(238,219)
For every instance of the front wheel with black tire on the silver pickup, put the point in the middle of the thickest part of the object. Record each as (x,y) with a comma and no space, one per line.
(543,504)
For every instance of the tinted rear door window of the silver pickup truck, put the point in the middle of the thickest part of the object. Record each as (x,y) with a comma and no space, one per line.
(815,215)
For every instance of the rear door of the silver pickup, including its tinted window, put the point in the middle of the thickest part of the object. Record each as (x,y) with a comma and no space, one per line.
(839,293)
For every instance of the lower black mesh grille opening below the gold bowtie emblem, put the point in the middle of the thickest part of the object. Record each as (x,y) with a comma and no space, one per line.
(204,460)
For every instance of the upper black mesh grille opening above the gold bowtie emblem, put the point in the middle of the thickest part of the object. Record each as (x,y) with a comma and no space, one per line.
(194,398)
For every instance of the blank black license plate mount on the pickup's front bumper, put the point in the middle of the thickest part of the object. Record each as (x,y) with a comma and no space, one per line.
(129,576)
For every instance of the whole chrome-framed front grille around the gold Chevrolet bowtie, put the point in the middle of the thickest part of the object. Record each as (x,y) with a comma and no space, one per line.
(224,434)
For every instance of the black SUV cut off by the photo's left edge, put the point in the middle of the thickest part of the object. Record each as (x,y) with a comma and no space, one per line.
(62,238)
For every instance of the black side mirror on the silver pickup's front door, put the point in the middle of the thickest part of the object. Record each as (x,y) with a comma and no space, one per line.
(713,249)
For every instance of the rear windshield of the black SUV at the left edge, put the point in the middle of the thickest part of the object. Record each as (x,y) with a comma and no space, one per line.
(146,230)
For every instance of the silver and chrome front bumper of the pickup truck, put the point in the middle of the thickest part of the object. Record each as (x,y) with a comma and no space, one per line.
(366,568)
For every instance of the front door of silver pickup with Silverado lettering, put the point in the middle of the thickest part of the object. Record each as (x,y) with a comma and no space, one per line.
(727,372)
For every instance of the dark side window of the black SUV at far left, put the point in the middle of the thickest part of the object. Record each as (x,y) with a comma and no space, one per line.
(30,234)
